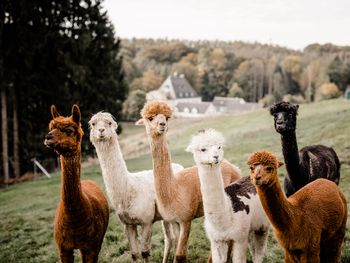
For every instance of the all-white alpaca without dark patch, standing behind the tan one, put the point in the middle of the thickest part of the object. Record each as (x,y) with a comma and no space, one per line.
(132,195)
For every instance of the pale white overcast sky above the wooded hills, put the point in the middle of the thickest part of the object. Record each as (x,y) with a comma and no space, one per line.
(290,23)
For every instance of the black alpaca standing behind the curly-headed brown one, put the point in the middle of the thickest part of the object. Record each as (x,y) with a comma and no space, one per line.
(311,162)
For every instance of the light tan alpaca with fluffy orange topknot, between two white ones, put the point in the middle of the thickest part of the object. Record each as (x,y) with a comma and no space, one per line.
(178,196)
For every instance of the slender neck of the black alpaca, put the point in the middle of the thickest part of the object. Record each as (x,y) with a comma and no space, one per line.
(291,157)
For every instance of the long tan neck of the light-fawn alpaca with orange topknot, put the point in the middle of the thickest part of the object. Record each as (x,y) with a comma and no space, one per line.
(163,174)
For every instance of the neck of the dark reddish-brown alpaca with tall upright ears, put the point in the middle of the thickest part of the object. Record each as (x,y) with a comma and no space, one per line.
(71,192)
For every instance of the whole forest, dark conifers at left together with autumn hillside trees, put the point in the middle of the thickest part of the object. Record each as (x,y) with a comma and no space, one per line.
(65,52)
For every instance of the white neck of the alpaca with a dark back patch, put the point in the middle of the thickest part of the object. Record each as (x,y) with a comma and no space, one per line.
(213,194)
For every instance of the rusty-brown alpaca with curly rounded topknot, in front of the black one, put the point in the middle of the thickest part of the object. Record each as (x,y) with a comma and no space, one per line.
(310,224)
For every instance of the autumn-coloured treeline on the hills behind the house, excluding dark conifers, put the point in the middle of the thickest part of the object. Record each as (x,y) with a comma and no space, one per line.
(253,71)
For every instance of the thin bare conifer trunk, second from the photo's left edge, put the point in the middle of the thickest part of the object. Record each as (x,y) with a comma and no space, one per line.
(16,160)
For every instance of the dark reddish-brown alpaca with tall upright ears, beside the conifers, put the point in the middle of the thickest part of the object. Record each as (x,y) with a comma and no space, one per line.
(82,213)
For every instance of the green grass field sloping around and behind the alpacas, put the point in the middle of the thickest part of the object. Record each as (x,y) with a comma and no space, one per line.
(27,210)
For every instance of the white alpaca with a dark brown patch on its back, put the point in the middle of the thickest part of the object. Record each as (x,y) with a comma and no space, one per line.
(234,214)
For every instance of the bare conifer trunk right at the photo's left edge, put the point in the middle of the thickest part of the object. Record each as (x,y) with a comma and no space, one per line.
(5,157)
